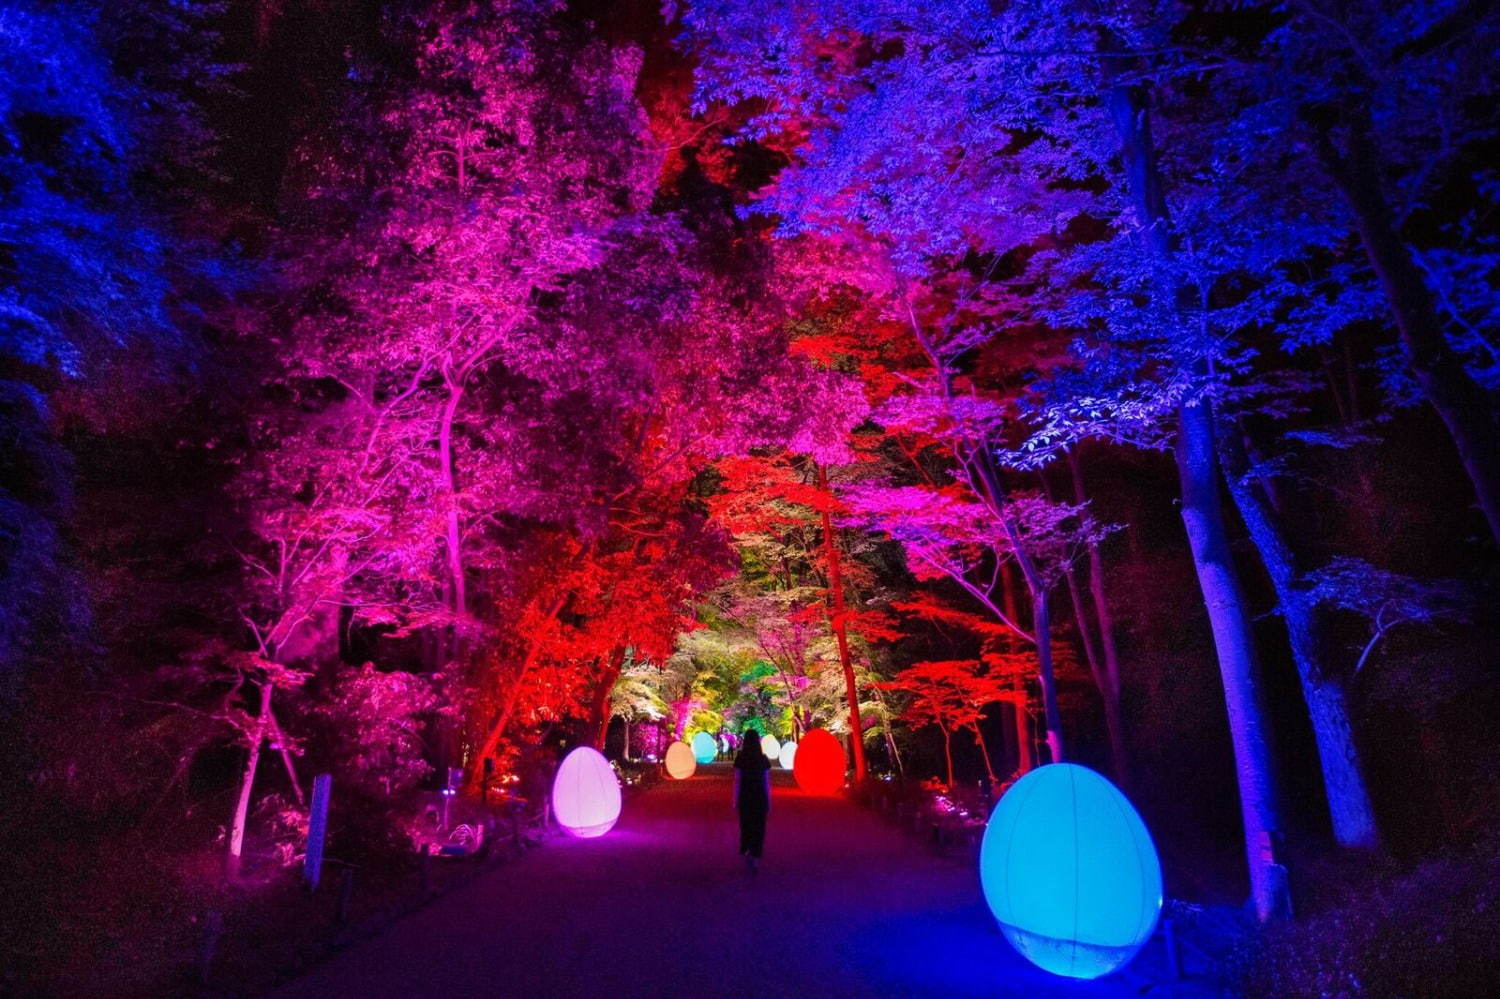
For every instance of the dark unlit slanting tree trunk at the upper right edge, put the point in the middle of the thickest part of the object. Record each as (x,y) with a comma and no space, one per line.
(1468,410)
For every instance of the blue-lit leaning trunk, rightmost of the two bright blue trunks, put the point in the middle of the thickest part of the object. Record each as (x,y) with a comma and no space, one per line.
(1349,806)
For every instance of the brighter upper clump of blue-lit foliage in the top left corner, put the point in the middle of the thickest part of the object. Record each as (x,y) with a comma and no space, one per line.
(86,275)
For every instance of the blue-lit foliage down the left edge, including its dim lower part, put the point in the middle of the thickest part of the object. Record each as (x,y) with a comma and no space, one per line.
(82,280)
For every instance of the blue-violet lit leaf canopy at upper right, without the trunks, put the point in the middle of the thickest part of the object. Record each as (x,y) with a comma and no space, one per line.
(962,125)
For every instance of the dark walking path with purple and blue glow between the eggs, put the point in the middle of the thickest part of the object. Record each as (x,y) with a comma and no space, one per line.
(844,907)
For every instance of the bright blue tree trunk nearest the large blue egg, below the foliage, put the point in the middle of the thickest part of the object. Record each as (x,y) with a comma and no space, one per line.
(1204,520)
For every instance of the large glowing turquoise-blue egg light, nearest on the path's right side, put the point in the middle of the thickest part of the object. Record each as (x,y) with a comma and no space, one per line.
(1070,871)
